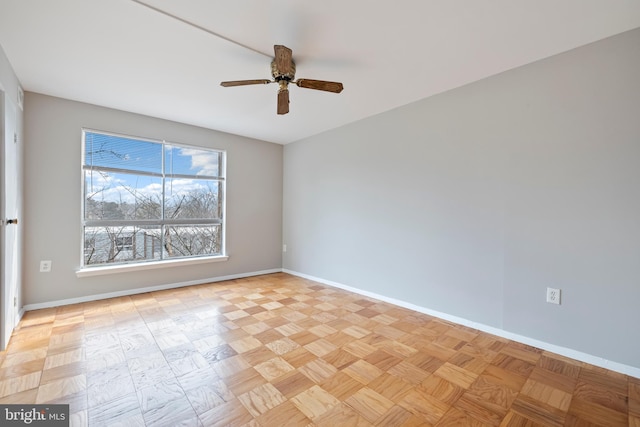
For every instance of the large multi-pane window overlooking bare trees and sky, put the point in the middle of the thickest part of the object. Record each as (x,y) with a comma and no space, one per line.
(148,200)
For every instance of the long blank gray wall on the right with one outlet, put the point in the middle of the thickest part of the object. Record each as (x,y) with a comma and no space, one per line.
(472,202)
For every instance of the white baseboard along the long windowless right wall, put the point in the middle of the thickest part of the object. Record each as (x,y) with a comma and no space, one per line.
(563,351)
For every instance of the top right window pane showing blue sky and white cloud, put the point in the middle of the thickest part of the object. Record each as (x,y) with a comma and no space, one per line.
(191,161)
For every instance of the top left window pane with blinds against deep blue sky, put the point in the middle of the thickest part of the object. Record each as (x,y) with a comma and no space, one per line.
(122,153)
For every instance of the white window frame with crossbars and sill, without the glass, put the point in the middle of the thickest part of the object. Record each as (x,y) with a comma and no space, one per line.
(163,260)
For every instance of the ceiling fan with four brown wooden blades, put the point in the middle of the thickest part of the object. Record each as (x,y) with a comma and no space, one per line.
(283,70)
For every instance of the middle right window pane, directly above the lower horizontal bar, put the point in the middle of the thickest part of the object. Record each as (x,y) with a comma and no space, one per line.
(192,199)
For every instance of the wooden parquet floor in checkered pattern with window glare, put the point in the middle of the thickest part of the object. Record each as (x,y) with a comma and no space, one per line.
(278,350)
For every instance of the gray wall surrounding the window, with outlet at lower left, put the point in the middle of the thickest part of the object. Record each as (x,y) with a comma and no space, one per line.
(53,200)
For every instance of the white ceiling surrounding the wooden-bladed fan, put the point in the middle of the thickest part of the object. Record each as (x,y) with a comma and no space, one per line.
(167,60)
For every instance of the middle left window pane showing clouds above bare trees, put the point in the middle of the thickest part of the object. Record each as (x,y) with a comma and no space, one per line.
(121,196)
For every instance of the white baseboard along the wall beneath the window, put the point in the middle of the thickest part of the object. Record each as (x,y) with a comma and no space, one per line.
(127,292)
